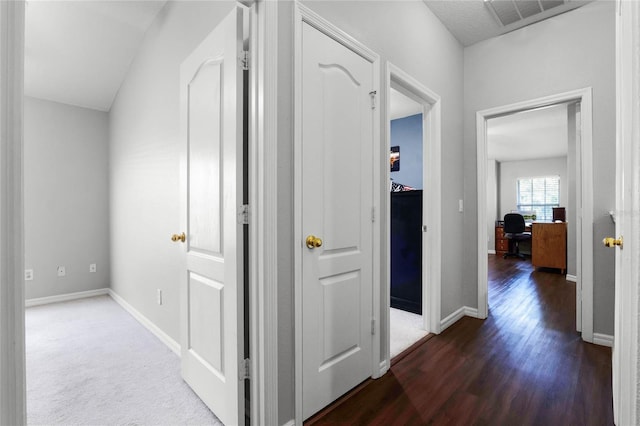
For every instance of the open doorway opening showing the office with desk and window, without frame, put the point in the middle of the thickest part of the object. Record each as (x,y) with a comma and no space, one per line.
(531,172)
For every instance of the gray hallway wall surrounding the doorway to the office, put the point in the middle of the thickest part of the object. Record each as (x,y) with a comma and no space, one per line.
(570,51)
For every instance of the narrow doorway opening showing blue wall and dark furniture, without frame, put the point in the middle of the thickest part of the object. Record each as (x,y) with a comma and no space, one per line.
(406,200)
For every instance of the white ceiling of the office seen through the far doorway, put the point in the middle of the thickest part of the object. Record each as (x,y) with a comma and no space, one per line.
(535,134)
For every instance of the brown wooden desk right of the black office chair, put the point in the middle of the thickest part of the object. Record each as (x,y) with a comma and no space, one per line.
(549,245)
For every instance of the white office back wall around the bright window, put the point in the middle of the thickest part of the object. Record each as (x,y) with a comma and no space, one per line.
(510,171)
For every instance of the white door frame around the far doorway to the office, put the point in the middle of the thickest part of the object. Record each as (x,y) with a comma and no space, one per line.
(584,201)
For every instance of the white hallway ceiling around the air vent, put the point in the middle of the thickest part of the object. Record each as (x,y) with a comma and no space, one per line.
(471,21)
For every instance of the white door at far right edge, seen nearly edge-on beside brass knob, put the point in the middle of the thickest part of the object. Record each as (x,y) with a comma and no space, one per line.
(625,348)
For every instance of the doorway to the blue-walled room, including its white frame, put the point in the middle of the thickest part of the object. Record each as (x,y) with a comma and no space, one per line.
(422,107)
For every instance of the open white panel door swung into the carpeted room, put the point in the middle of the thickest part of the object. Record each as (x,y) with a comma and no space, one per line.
(212,288)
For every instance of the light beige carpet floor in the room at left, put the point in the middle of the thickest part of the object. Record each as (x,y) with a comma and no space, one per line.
(90,363)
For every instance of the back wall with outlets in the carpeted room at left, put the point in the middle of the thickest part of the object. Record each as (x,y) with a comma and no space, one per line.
(66,197)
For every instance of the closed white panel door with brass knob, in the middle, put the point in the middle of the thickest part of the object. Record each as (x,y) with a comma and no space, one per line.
(337,190)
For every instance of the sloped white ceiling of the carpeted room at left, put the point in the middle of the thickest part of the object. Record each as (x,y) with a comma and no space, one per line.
(78,52)
